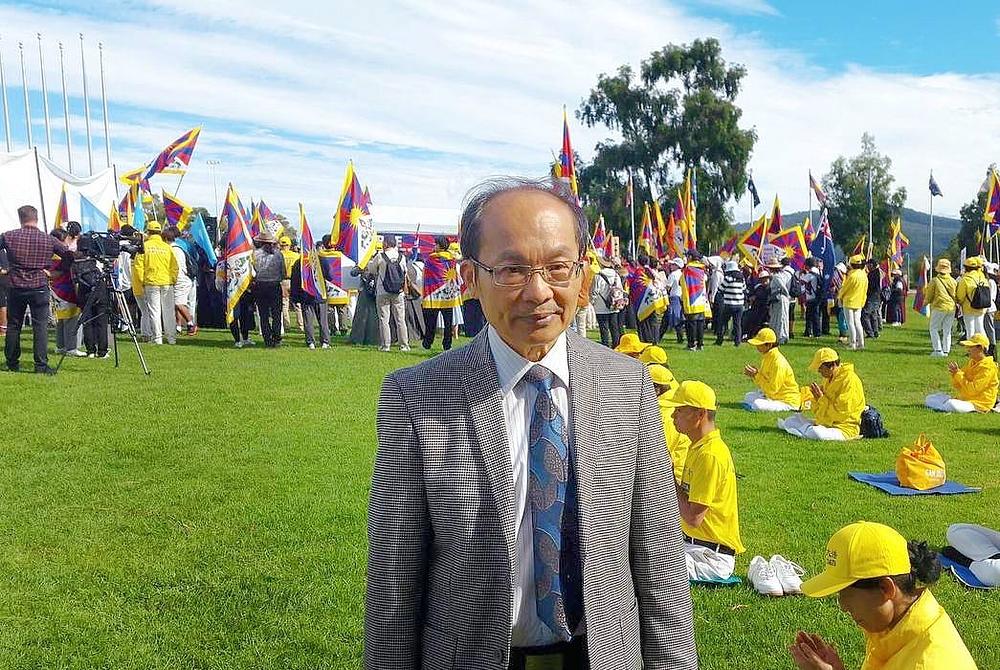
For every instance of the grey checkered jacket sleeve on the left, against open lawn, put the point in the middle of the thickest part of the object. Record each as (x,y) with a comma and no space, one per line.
(399,539)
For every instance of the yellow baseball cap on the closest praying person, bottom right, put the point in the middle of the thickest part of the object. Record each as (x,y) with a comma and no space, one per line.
(859,551)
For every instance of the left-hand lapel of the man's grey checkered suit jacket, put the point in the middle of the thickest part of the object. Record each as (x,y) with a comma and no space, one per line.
(482,392)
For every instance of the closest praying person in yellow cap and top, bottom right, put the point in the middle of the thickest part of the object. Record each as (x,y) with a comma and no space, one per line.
(881,581)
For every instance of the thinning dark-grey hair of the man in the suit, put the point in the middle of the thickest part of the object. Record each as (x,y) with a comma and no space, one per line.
(480,195)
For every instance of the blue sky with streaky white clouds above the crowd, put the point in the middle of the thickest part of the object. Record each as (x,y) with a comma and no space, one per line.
(428,98)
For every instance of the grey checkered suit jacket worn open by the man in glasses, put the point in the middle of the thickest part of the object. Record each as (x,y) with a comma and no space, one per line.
(441,526)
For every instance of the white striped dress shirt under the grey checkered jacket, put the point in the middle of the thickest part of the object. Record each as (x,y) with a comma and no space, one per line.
(518,400)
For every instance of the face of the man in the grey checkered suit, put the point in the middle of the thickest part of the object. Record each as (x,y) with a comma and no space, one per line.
(526,228)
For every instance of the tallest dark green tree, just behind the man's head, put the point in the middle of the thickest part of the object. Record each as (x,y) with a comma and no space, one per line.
(678,112)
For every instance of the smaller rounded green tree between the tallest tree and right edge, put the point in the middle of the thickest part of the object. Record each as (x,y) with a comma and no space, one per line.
(846,186)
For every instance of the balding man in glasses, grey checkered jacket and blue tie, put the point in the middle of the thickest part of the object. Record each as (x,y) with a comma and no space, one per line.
(529,519)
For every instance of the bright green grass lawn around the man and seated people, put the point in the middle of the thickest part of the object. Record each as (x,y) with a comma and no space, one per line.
(212,515)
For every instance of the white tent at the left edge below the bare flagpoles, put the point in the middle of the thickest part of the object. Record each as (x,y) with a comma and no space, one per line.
(27,179)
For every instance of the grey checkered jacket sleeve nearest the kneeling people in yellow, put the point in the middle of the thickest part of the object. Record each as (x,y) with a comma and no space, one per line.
(656,550)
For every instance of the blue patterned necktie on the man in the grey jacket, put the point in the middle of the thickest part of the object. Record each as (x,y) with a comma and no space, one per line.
(548,486)
